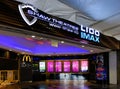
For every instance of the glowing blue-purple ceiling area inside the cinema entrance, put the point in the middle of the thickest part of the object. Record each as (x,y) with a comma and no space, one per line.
(22,44)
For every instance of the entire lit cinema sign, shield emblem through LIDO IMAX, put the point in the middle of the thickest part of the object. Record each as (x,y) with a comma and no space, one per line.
(57,23)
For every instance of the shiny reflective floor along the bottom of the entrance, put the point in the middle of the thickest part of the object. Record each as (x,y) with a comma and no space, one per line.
(59,84)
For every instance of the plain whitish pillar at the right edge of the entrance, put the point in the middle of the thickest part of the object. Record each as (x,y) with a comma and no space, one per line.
(113,67)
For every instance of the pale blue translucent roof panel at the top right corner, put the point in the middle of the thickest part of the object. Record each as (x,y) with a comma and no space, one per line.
(97,9)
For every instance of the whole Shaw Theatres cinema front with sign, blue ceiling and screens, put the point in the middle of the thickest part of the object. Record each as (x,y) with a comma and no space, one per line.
(25,19)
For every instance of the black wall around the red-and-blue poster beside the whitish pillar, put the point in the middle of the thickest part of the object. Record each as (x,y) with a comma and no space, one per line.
(93,66)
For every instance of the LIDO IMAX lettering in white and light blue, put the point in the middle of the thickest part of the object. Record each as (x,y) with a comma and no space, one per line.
(89,34)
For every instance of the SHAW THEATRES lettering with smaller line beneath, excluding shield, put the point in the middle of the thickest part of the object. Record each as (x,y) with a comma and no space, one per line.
(53,22)
